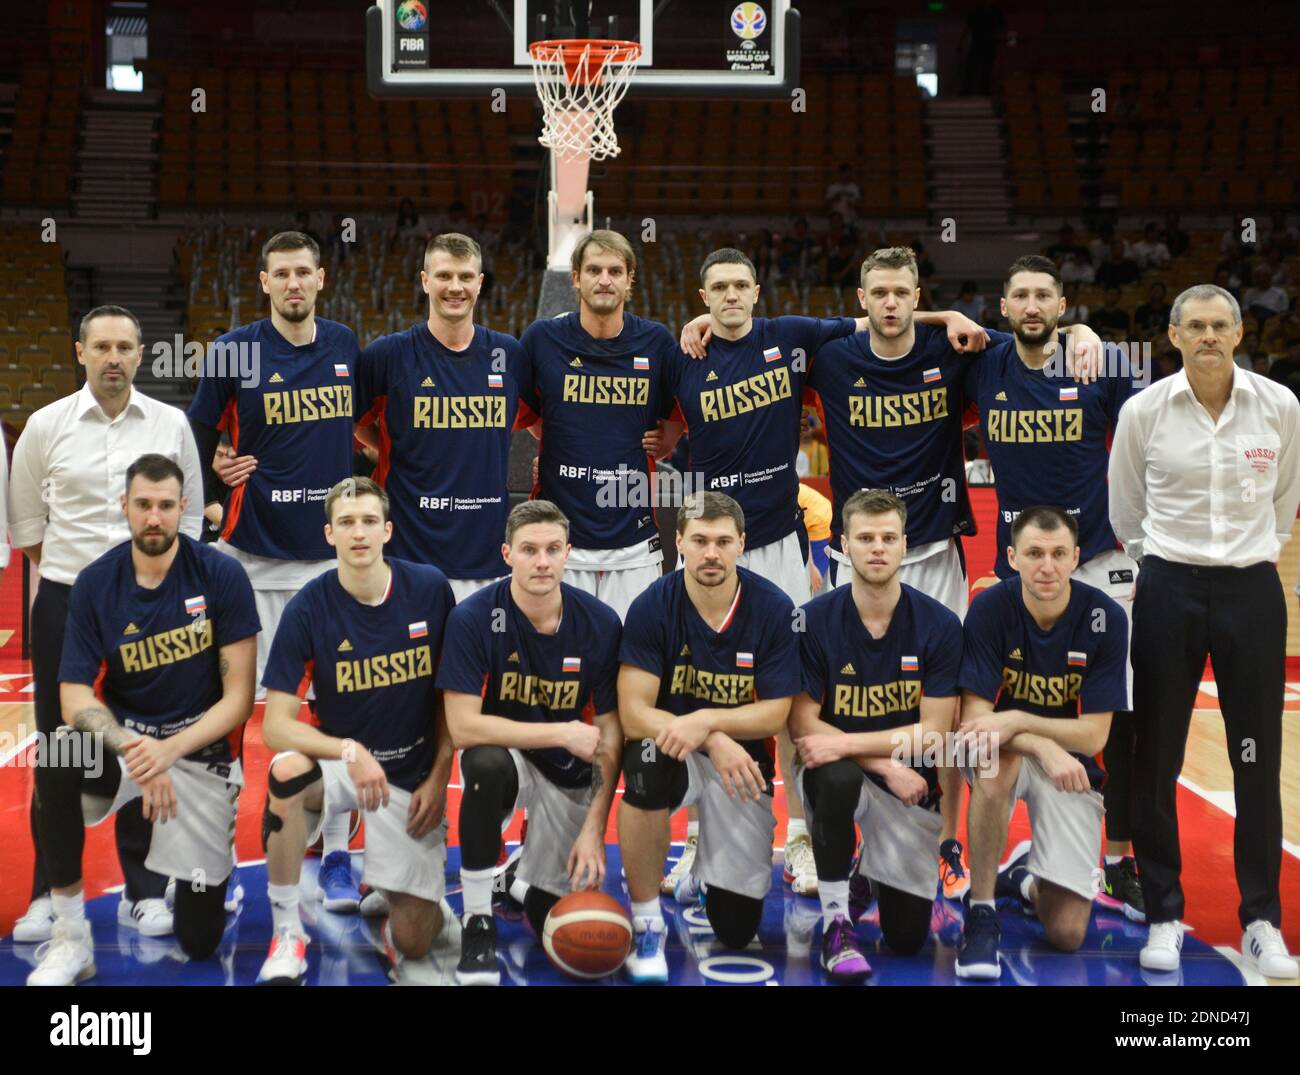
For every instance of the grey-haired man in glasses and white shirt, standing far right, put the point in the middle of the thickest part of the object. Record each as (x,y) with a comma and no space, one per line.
(1204,488)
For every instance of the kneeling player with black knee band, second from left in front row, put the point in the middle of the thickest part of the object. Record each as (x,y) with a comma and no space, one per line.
(367,635)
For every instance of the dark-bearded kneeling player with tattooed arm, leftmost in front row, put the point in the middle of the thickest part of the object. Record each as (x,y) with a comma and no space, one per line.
(164,627)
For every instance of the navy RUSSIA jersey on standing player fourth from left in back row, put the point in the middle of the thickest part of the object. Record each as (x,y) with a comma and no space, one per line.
(742,405)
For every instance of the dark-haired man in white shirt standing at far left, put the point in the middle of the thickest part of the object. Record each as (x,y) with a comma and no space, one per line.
(70,467)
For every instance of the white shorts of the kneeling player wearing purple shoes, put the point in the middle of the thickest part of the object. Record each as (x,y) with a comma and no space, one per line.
(900,843)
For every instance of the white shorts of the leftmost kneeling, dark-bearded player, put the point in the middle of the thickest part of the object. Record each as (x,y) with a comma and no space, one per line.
(198,843)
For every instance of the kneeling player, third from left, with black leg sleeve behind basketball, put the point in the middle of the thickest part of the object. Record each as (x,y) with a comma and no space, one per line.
(530,671)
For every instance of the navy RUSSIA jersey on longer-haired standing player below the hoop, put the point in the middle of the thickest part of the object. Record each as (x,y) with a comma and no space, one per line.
(597,398)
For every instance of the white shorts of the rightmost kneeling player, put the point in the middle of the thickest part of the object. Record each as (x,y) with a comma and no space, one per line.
(1067,830)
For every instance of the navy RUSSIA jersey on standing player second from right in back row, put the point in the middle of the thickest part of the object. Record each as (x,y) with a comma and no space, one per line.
(898,424)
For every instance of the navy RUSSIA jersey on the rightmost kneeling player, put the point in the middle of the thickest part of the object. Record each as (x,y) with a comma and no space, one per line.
(1080,666)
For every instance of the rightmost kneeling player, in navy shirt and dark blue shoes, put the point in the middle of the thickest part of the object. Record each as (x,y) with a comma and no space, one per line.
(1043,670)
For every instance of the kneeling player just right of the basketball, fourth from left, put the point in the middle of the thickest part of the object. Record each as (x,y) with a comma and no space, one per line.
(709,670)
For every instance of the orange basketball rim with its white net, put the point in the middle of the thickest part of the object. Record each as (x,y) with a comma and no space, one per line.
(579,98)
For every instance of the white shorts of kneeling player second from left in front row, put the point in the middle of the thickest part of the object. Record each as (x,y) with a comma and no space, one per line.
(395,860)
